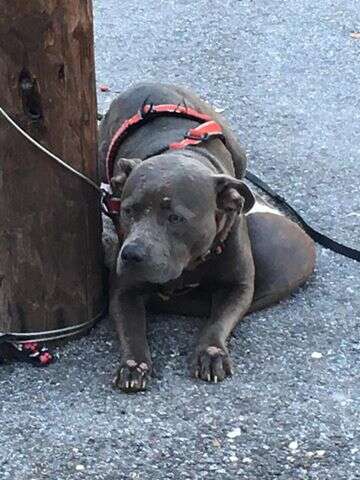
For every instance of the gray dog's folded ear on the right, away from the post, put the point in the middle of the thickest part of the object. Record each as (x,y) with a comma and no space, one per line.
(233,195)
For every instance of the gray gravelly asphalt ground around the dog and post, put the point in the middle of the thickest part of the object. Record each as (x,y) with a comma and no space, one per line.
(287,76)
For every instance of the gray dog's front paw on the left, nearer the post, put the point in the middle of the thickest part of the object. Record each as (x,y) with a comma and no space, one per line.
(132,376)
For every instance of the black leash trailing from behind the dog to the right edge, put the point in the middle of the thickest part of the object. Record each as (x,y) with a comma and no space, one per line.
(318,237)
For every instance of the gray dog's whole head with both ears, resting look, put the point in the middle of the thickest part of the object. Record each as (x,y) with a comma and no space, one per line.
(172,209)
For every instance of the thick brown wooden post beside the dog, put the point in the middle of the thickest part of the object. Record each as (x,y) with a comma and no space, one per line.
(50,240)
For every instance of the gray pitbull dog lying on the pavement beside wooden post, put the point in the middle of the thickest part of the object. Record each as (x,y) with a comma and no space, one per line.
(188,226)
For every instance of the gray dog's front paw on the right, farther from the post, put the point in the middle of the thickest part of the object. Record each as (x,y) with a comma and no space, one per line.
(211,364)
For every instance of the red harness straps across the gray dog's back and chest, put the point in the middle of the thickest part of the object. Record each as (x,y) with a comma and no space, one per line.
(207,130)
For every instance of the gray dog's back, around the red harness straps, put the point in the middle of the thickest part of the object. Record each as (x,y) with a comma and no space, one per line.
(158,132)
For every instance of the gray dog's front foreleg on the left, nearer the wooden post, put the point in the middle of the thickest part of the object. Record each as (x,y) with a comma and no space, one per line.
(128,311)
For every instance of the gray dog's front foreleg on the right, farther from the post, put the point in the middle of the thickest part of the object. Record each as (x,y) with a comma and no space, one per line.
(211,360)
